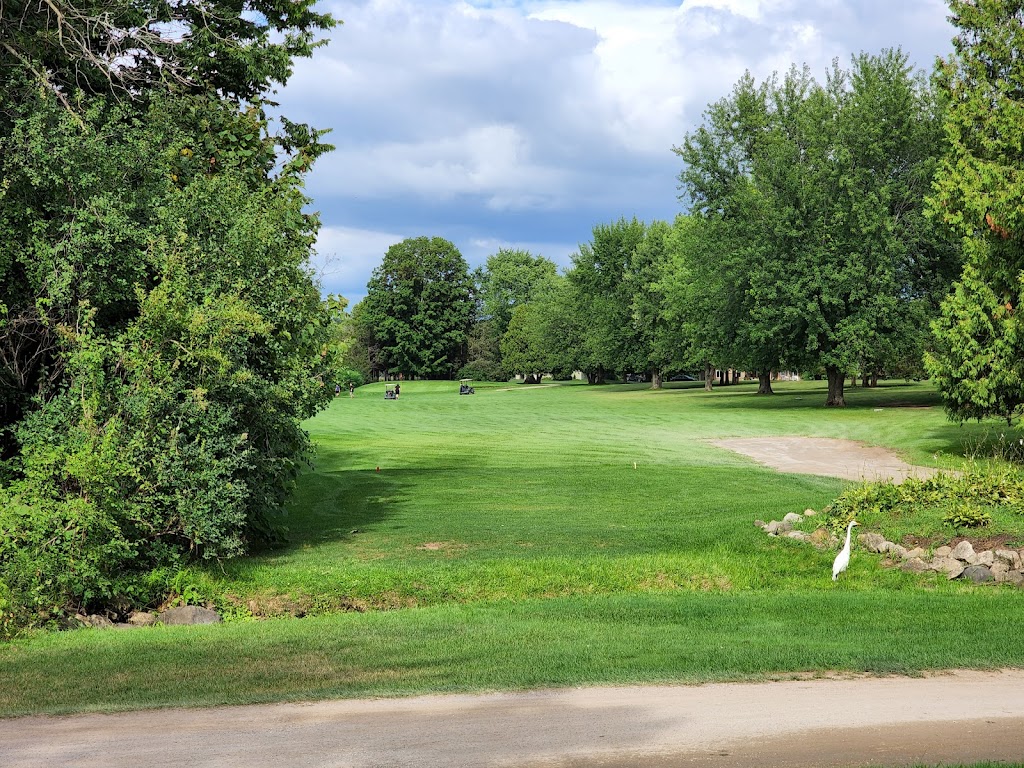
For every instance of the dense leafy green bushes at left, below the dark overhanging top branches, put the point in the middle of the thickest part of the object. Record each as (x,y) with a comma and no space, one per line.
(185,342)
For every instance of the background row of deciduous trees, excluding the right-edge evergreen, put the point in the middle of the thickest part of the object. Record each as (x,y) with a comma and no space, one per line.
(806,248)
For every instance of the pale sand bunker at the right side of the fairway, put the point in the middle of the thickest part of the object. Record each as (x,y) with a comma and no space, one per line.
(827,456)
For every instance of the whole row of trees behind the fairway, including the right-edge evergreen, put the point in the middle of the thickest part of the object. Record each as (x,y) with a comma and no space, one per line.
(827,225)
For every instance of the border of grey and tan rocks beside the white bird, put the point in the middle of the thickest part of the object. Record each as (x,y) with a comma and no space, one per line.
(1001,567)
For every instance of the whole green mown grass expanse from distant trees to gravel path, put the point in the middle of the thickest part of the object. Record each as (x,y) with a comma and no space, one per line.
(548,536)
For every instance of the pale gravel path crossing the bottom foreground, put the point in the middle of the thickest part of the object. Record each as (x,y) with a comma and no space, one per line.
(946,717)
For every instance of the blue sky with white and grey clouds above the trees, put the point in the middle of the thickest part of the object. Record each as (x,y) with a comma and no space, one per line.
(526,123)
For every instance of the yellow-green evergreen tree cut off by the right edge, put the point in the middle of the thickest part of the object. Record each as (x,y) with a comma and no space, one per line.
(979,193)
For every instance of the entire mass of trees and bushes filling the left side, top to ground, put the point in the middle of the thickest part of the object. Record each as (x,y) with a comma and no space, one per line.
(161,336)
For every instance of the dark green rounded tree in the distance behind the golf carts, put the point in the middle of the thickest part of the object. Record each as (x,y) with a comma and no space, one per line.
(419,309)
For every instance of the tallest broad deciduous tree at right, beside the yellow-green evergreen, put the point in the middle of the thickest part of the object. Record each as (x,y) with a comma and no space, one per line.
(820,190)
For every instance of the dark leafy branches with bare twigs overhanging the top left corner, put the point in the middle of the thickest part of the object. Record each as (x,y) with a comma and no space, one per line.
(234,50)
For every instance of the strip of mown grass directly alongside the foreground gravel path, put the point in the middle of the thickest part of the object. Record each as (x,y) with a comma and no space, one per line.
(681,638)
